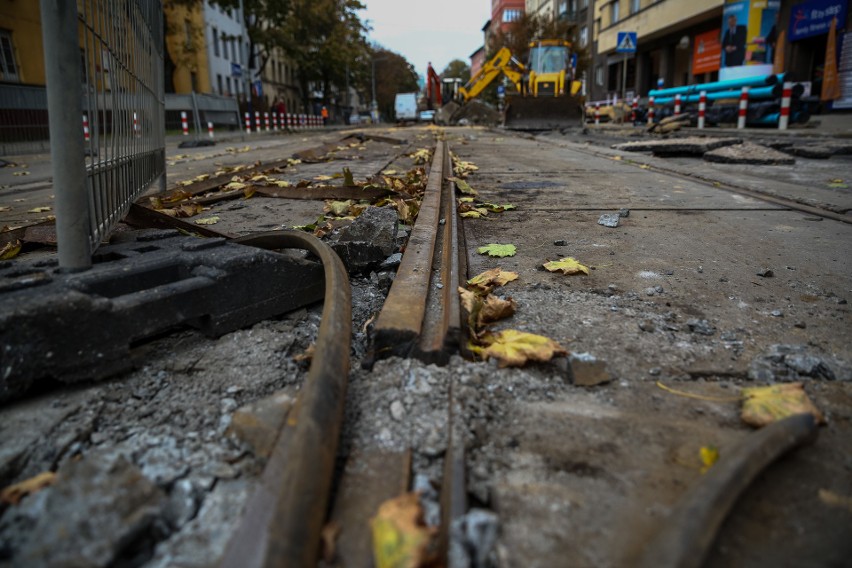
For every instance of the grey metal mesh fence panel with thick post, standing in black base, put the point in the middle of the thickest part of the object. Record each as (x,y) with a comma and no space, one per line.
(107,144)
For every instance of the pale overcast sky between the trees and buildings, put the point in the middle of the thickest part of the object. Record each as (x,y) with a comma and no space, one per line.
(428,30)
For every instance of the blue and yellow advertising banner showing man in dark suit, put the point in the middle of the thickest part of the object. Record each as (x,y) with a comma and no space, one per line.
(749,33)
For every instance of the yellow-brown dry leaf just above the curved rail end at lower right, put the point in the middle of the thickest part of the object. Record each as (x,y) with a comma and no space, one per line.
(764,405)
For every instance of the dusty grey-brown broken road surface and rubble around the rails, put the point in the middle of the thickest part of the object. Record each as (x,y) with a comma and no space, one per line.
(678,295)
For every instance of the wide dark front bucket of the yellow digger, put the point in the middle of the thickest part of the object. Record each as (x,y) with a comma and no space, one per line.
(543,113)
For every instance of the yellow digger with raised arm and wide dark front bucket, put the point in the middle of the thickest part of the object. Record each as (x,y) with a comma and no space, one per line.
(545,93)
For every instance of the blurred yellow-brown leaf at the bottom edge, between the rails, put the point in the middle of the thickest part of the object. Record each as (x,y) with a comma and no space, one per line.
(401,539)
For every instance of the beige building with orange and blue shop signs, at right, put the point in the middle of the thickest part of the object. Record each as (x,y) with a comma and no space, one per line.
(679,42)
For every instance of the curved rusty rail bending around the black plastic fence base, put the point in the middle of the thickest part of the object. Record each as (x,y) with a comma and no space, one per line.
(283,520)
